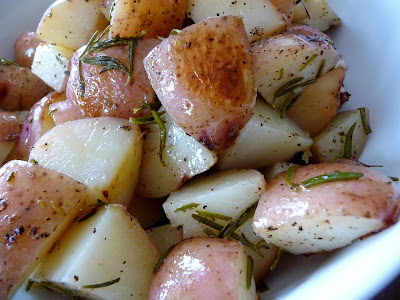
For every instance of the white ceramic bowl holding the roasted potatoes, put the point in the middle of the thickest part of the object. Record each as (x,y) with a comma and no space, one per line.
(369,41)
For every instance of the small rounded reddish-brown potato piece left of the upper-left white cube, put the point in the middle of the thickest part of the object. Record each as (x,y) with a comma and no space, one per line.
(25,47)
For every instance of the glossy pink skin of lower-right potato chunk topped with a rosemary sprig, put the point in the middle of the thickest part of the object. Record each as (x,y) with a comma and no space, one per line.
(372,196)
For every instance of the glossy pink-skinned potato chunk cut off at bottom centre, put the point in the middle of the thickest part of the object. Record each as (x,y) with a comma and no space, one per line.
(204,268)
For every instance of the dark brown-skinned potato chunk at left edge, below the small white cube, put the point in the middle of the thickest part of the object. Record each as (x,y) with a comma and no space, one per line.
(19,88)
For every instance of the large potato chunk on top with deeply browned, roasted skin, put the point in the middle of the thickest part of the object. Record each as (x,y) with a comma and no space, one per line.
(203,79)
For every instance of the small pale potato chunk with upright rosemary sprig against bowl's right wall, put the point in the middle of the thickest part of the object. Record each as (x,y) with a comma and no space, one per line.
(330,142)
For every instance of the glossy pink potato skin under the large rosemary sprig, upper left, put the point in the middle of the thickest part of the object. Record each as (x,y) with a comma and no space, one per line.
(107,94)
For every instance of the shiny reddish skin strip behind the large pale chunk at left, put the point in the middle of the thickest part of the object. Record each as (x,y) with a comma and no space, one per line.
(36,124)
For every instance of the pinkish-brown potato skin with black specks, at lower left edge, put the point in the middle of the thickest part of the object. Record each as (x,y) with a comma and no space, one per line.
(36,206)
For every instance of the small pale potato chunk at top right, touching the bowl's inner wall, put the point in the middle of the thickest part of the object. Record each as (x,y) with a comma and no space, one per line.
(316,13)
